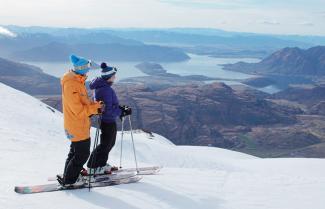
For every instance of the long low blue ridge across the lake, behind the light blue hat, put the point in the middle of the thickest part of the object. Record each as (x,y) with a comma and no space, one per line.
(55,51)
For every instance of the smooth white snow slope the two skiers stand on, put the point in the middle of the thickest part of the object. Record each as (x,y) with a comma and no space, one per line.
(34,147)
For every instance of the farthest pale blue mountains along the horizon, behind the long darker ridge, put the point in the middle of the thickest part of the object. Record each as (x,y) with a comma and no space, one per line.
(212,42)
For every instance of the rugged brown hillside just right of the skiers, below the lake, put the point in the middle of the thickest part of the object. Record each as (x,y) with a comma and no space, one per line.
(196,114)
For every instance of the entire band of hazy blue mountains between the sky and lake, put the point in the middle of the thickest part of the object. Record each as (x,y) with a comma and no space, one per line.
(154,45)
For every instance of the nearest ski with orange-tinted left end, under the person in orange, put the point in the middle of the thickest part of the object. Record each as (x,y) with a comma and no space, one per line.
(57,187)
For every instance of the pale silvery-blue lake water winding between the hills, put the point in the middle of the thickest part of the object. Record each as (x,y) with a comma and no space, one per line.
(197,65)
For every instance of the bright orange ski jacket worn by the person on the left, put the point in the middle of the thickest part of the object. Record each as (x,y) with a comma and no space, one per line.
(77,107)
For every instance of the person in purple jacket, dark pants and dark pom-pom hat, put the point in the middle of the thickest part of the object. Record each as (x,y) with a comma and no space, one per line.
(104,92)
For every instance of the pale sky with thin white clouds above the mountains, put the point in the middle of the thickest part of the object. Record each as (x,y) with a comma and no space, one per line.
(300,17)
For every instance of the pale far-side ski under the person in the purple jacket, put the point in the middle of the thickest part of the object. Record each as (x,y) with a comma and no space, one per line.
(151,170)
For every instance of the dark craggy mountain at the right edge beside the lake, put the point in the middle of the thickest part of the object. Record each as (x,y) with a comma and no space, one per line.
(289,66)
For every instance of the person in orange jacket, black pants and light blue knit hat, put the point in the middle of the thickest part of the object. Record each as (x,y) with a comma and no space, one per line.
(77,109)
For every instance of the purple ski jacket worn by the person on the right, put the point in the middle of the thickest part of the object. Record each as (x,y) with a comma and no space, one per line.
(105,93)
